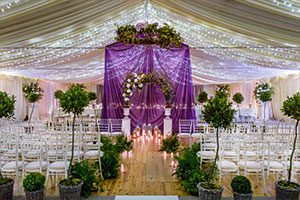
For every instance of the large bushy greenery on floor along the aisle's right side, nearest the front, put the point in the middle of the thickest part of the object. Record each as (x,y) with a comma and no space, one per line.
(188,170)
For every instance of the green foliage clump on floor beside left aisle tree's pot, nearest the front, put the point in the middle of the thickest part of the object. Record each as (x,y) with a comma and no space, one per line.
(87,173)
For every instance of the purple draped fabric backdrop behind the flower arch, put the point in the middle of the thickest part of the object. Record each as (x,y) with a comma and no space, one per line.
(147,106)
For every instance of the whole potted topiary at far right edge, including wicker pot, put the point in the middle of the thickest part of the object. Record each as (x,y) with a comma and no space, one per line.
(286,189)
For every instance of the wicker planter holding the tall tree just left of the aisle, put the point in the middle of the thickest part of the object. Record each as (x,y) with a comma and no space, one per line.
(70,192)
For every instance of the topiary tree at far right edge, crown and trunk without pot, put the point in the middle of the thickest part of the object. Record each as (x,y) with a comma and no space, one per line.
(291,108)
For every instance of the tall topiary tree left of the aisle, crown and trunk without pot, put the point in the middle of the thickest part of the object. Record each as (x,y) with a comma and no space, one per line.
(74,100)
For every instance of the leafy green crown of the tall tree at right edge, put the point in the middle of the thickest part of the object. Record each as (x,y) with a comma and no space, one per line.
(291,106)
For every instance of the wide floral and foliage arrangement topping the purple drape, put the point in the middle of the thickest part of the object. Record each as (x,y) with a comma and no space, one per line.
(144,33)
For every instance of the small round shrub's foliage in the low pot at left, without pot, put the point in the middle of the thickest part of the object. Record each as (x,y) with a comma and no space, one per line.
(34,181)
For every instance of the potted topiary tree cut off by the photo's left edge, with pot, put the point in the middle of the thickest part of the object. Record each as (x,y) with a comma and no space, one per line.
(7,110)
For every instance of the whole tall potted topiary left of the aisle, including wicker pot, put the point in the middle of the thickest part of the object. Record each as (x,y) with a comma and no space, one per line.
(74,100)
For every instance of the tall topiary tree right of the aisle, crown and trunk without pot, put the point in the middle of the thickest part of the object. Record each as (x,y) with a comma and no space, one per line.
(219,114)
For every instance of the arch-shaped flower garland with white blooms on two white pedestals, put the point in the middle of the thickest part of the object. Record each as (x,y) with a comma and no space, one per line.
(139,80)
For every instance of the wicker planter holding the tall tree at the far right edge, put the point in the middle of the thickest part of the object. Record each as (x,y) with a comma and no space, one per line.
(286,194)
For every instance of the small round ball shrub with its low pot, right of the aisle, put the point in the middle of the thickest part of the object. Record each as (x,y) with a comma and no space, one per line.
(241,188)
